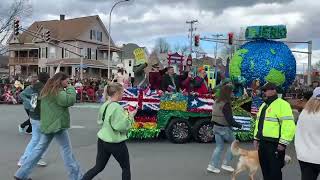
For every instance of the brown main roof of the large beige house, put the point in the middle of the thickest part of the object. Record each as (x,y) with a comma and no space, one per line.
(68,29)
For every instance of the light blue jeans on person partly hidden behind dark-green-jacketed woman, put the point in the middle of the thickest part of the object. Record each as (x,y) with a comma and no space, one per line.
(35,138)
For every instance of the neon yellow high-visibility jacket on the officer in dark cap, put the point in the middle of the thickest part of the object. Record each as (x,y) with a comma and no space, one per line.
(278,122)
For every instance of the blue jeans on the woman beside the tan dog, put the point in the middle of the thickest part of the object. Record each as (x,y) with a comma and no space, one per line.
(222,134)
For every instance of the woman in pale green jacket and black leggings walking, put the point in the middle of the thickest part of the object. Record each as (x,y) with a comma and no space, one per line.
(115,123)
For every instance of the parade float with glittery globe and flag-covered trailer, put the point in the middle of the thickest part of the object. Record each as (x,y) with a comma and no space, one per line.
(183,117)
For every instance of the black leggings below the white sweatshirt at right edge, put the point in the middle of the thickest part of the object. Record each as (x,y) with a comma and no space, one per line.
(309,171)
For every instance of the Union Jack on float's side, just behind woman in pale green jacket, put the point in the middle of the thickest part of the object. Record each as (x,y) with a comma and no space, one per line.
(143,99)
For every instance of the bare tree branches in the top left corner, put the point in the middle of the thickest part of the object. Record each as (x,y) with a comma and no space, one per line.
(17,9)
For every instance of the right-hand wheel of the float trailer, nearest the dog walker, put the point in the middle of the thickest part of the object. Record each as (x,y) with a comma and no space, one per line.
(203,131)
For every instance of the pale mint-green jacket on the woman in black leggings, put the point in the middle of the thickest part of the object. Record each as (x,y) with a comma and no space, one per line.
(116,123)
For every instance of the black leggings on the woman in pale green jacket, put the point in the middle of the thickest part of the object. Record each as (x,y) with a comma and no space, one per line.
(105,150)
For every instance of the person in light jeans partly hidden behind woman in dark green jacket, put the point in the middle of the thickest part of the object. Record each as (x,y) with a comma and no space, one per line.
(32,103)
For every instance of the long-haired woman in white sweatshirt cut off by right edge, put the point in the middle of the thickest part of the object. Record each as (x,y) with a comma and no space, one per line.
(307,139)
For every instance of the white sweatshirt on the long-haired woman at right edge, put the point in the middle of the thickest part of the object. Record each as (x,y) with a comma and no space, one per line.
(307,139)
